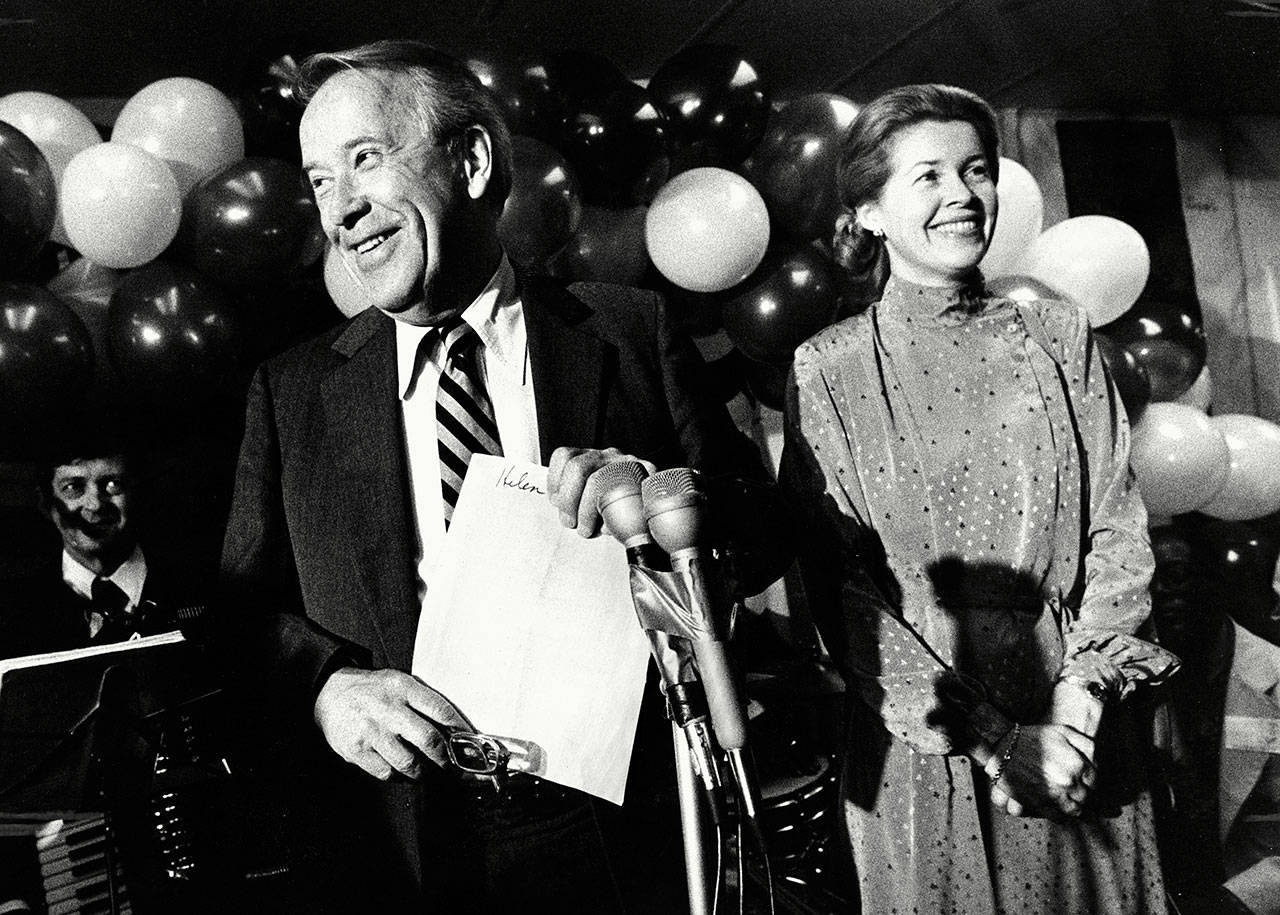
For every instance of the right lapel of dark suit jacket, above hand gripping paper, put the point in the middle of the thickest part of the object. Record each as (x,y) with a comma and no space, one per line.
(569,365)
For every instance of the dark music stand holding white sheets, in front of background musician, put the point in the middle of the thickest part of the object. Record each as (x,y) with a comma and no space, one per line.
(80,739)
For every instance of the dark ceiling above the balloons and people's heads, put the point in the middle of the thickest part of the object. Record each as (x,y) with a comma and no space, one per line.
(1104,56)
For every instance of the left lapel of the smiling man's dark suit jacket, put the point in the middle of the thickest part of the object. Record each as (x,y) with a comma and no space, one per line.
(363,443)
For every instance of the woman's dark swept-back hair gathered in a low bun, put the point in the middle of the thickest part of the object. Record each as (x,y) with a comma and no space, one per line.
(865,155)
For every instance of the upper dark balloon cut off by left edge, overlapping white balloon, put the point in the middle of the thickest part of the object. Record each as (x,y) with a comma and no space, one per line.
(29,202)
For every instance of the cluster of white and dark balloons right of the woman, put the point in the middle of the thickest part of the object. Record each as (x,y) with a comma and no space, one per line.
(1155,351)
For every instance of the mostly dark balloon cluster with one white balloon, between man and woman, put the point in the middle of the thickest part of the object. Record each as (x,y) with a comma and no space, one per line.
(692,182)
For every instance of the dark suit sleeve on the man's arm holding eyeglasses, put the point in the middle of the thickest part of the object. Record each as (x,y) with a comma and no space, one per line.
(263,624)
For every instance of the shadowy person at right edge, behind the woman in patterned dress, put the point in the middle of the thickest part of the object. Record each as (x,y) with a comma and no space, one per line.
(1218,739)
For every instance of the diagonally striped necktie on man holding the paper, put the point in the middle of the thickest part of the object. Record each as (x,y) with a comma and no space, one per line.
(464,414)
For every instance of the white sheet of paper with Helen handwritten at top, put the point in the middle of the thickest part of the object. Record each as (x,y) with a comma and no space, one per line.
(531,630)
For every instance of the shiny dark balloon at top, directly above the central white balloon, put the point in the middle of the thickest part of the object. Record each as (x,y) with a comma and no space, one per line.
(716,103)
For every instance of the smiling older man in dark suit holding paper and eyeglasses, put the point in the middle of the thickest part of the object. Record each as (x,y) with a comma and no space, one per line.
(350,469)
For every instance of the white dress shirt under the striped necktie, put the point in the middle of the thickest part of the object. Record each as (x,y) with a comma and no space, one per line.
(499,318)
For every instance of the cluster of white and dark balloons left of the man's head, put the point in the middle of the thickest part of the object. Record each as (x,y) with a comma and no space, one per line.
(167,243)
